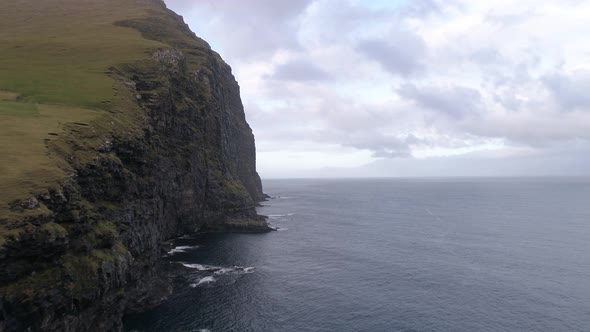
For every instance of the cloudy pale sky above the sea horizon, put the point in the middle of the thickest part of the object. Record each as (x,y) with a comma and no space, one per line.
(339,88)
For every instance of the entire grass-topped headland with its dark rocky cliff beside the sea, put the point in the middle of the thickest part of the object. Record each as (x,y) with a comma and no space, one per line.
(135,134)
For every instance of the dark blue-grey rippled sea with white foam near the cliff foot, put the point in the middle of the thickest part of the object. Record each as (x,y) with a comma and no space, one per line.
(394,255)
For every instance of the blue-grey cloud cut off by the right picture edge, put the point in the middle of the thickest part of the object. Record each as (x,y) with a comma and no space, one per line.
(570,91)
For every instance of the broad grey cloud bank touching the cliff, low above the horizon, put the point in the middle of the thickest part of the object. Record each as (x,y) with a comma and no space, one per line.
(335,120)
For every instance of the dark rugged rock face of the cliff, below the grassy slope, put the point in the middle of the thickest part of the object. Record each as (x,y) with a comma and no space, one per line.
(185,164)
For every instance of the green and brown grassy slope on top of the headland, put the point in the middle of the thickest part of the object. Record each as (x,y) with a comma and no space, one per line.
(56,57)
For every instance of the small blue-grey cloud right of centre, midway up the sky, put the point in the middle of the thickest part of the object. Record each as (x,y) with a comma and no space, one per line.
(455,101)
